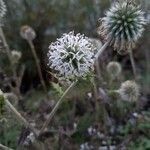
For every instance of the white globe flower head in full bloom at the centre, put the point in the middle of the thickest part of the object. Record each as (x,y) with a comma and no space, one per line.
(71,56)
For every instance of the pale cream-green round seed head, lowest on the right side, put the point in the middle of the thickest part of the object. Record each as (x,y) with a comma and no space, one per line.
(129,91)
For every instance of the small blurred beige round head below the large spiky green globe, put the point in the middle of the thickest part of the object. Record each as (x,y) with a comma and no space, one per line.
(114,69)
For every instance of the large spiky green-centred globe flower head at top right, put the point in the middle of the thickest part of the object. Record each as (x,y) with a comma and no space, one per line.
(123,25)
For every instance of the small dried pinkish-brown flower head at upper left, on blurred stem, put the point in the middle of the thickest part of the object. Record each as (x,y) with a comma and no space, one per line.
(27,33)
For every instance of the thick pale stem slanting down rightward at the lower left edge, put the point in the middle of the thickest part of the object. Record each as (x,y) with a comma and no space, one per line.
(19,116)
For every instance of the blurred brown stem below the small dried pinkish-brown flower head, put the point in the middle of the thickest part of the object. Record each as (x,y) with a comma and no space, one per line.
(38,66)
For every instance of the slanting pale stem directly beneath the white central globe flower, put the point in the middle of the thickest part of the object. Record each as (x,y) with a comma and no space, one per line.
(56,107)
